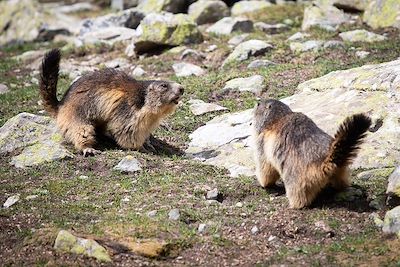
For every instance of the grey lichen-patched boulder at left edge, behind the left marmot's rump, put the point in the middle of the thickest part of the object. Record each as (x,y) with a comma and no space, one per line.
(38,137)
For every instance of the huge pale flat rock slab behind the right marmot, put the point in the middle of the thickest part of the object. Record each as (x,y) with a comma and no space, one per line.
(375,89)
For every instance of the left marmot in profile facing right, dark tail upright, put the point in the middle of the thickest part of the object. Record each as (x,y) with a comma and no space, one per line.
(106,102)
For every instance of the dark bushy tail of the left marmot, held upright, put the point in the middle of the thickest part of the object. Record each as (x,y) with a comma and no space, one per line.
(48,81)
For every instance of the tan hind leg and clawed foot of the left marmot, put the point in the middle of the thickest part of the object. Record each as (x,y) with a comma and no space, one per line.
(83,136)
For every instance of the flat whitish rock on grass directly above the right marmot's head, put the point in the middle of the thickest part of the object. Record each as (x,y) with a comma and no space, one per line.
(255,84)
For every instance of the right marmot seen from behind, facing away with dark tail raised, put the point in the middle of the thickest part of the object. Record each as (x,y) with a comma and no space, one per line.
(291,146)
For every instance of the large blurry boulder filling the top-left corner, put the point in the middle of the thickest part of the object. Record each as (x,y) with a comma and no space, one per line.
(26,20)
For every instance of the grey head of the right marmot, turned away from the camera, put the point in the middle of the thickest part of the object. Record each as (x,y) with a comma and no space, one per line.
(267,112)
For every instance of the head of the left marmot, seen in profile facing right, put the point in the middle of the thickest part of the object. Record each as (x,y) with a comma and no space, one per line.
(163,96)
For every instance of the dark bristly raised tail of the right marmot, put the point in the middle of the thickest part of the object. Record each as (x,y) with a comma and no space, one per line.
(347,140)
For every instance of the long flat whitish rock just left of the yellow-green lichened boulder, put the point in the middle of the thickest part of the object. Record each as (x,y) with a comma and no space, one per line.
(110,36)
